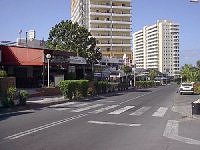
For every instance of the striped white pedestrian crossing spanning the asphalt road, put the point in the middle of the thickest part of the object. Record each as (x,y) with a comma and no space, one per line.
(131,110)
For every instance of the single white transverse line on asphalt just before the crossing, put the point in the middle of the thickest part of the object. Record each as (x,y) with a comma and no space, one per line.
(113,123)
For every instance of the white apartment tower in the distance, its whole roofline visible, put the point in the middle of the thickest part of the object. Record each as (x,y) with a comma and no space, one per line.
(157,47)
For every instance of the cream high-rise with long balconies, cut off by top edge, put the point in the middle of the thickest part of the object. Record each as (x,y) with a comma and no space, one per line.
(109,21)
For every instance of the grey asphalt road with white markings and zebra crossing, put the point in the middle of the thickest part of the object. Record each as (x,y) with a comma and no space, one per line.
(134,120)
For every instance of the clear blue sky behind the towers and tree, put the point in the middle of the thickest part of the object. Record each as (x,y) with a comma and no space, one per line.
(42,15)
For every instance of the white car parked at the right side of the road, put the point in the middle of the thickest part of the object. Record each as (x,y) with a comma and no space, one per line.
(186,88)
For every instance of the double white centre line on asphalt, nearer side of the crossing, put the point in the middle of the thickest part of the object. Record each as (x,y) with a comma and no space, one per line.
(18,135)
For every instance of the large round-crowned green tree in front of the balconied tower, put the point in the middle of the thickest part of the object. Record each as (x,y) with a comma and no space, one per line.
(68,36)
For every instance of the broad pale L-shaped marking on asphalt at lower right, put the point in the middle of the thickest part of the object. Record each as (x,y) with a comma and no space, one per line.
(171,131)
